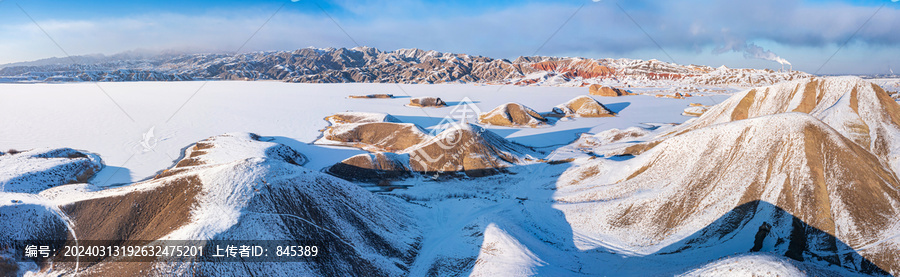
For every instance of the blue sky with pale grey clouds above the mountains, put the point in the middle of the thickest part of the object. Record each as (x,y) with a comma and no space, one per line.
(754,34)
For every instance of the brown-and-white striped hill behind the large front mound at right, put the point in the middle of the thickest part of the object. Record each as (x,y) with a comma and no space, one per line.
(856,108)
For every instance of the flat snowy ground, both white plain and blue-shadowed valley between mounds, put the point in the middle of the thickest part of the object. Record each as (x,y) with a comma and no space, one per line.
(509,223)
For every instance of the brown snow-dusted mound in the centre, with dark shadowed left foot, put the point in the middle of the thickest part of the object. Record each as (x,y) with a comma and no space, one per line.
(462,148)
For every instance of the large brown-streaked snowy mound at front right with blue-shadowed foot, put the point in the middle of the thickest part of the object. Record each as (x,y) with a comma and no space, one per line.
(823,197)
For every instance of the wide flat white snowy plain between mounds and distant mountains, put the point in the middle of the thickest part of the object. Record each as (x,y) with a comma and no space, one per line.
(140,128)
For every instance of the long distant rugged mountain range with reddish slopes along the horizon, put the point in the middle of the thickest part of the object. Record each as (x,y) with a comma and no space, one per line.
(370,65)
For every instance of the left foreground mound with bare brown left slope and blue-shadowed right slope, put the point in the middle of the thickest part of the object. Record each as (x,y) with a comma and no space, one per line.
(240,187)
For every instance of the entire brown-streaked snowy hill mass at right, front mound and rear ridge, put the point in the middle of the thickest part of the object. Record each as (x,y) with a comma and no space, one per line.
(815,157)
